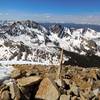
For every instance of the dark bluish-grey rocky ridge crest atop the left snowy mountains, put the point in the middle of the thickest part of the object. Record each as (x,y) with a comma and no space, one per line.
(20,27)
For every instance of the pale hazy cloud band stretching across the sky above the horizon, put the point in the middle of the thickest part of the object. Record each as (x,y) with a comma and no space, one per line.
(46,17)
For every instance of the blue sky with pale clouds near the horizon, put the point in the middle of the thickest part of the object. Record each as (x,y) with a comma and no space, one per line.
(64,11)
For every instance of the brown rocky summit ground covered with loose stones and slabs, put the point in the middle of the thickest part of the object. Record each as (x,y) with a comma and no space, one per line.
(38,82)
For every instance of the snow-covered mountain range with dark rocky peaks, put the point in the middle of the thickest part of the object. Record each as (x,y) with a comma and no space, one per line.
(30,41)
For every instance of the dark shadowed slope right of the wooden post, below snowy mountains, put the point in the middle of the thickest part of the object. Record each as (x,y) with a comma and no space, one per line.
(82,60)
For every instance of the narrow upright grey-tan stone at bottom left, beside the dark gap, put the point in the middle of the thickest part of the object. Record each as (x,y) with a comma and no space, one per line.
(14,91)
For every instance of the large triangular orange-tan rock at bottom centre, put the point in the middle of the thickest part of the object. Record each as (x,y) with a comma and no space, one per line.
(47,90)
